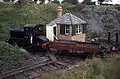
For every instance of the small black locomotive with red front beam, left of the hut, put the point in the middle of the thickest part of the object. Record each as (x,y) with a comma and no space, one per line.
(29,37)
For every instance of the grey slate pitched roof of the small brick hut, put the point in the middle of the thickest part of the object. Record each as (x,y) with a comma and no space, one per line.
(68,18)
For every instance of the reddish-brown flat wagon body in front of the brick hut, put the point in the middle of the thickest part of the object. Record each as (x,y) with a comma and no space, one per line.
(75,46)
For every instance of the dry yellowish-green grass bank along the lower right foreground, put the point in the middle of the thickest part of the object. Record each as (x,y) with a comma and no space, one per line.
(96,68)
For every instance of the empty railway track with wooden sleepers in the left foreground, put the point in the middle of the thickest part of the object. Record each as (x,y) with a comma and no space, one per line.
(35,70)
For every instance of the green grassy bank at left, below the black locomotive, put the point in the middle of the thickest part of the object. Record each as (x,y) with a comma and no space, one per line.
(11,57)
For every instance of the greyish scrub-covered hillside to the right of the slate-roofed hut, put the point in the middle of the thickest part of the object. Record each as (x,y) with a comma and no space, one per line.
(100,19)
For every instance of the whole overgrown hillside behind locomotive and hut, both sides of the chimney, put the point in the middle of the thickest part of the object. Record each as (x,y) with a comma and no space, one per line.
(100,19)
